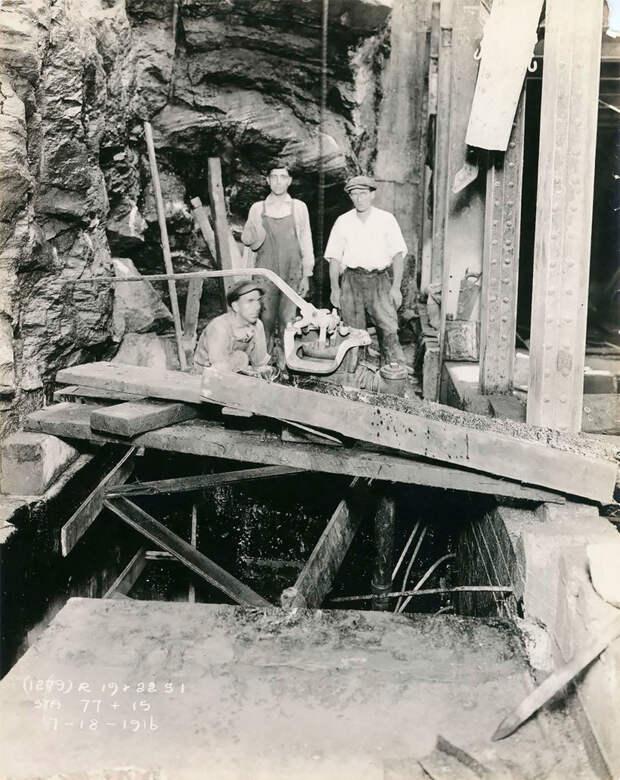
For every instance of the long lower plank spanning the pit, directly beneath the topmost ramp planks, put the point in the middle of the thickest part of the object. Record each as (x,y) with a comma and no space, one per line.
(208,439)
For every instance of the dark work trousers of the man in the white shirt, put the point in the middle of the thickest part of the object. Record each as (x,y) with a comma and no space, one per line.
(367,294)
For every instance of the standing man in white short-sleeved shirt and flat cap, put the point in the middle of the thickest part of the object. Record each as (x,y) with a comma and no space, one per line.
(363,245)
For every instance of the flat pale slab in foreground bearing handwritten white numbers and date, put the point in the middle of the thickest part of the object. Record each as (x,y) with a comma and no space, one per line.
(194,691)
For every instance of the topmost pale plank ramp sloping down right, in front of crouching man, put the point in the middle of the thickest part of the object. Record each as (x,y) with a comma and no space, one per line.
(457,443)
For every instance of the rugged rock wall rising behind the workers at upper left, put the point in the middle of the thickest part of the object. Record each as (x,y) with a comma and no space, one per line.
(239,79)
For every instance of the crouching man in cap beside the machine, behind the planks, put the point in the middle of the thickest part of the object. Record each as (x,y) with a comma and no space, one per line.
(235,341)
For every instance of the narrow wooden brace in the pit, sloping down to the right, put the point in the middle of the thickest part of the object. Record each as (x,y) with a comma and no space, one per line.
(152,529)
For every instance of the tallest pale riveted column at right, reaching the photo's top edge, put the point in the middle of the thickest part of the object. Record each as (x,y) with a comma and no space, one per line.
(569,115)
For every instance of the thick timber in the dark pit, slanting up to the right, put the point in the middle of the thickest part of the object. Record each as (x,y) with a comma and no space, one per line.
(316,578)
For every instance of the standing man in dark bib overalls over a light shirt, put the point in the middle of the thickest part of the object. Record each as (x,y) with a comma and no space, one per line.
(278,231)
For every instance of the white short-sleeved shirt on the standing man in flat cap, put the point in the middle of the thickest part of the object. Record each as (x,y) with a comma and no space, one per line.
(369,244)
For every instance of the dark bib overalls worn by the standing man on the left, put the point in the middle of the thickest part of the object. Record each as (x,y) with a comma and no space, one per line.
(281,253)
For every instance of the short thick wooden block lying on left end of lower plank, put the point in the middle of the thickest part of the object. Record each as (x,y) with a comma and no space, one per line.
(130,419)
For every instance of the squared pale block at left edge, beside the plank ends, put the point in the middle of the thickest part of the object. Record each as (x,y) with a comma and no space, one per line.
(32,461)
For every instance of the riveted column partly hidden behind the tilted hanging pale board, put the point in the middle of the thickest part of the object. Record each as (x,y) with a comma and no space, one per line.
(500,262)
